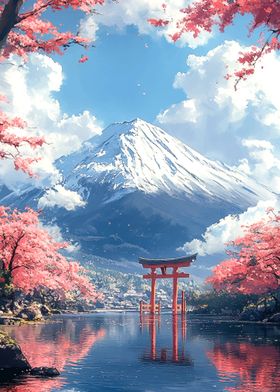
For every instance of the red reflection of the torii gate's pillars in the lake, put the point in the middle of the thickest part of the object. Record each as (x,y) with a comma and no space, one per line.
(174,355)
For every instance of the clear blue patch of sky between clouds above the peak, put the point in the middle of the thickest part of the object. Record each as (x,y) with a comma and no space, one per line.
(130,74)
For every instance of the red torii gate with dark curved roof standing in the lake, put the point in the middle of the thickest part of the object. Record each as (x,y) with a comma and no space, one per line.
(175,274)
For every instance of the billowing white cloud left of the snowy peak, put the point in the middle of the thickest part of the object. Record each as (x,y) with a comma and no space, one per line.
(30,89)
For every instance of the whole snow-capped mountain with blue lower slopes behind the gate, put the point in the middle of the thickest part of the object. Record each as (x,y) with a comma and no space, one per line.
(146,193)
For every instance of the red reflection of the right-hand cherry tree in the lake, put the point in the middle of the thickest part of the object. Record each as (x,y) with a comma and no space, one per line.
(257,367)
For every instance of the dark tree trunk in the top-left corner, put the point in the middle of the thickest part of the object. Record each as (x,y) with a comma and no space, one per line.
(8,19)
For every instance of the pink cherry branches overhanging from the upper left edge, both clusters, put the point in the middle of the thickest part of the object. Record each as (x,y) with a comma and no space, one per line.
(25,27)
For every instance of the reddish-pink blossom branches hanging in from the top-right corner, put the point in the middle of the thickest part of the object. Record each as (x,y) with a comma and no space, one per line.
(205,15)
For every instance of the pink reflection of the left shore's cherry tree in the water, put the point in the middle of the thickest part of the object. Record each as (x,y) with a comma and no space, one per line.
(68,344)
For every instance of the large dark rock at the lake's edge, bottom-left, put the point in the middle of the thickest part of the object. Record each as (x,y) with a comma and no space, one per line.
(11,356)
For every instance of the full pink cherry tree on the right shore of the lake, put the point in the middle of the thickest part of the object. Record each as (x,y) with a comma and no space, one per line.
(254,263)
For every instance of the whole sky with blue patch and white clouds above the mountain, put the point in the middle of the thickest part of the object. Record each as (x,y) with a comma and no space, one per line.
(134,71)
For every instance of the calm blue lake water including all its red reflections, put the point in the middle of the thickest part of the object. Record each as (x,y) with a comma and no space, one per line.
(117,352)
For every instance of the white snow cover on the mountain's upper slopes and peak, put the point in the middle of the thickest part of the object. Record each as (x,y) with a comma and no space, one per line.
(138,155)
